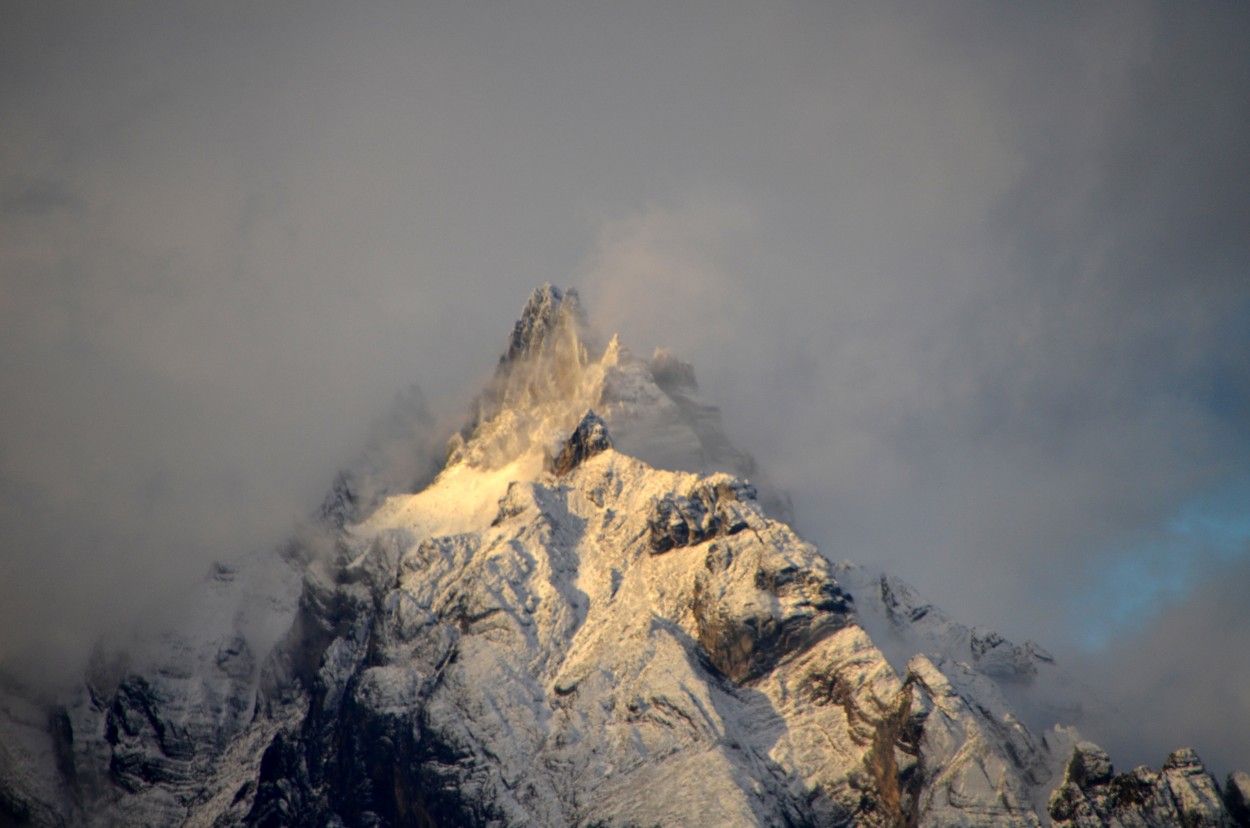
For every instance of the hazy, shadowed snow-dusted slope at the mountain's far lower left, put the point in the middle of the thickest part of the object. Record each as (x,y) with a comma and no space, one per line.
(156,734)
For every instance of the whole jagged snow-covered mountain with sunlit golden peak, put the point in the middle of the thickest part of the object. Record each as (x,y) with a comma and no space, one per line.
(589,616)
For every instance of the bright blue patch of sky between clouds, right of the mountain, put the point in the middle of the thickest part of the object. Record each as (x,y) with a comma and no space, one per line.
(1134,582)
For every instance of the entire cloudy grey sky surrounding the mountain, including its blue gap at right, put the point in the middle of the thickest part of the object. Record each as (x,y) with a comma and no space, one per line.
(973,281)
